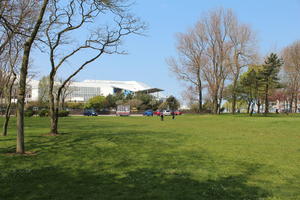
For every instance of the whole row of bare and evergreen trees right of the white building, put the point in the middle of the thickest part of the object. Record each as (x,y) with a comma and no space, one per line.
(218,56)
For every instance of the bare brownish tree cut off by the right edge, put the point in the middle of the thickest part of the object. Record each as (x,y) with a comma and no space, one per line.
(291,56)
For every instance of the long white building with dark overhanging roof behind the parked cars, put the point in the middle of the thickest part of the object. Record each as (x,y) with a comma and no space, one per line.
(83,91)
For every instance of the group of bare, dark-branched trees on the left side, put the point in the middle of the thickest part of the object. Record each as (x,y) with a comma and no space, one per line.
(54,27)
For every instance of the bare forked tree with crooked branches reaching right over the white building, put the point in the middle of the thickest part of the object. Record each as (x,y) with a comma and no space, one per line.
(65,19)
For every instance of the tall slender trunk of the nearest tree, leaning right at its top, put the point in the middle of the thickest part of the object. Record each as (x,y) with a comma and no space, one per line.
(22,81)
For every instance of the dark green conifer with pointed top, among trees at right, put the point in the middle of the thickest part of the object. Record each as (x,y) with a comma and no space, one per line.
(269,75)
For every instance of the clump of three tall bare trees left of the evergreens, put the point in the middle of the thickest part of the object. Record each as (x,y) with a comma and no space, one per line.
(214,51)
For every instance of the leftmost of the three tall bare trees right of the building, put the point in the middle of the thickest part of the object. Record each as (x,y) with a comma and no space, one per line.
(191,49)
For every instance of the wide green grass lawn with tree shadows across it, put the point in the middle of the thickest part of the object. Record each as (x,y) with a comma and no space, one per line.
(192,157)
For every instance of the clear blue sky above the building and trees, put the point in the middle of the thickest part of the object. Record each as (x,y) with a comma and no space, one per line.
(276,22)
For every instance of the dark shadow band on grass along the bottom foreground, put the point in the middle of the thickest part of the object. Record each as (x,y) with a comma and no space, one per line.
(62,184)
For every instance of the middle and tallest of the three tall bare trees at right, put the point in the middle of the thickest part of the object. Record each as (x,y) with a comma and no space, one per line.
(217,25)
